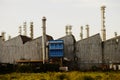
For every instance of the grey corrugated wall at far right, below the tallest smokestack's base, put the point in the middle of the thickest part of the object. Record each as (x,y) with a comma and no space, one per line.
(111,50)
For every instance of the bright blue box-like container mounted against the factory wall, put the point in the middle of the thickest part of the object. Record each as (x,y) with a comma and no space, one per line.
(56,48)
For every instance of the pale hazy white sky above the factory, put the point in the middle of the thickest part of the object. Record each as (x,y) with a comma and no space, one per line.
(59,13)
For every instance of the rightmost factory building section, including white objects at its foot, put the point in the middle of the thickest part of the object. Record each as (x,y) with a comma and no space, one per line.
(111,51)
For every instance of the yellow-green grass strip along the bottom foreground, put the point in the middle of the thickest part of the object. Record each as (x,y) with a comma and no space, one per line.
(62,76)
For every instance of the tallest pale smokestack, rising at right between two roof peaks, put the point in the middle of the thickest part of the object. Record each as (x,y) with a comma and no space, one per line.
(103,30)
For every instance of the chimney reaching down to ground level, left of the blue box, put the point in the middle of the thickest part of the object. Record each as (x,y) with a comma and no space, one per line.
(44,38)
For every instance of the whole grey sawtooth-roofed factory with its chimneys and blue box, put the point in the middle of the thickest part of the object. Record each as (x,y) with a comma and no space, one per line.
(85,54)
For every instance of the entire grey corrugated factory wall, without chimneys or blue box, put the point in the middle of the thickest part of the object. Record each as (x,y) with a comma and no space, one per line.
(89,51)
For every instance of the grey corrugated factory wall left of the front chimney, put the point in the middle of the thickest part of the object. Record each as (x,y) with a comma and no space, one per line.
(14,49)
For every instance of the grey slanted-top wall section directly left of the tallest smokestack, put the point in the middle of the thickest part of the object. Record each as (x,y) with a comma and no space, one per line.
(89,52)
